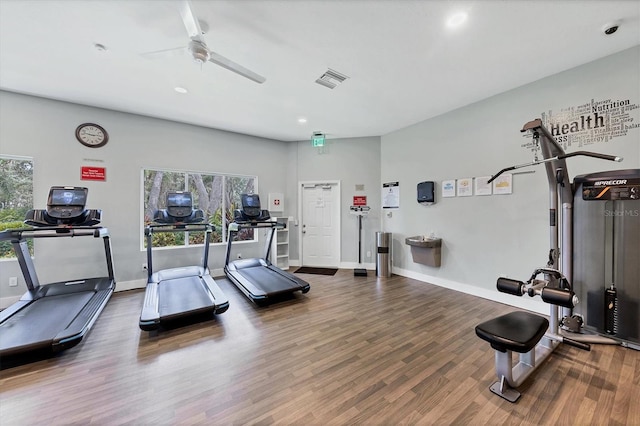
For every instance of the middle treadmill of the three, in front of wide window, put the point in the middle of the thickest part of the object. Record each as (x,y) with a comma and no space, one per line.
(185,291)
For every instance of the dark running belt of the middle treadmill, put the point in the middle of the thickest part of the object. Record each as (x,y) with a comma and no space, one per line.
(182,295)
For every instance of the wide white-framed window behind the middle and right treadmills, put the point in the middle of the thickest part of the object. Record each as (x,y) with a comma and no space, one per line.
(216,194)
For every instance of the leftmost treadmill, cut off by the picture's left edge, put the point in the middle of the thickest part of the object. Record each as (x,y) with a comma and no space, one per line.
(56,316)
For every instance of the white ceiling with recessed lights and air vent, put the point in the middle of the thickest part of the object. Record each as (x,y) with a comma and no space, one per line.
(404,64)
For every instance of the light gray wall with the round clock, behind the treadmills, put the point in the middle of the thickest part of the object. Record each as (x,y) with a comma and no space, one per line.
(44,130)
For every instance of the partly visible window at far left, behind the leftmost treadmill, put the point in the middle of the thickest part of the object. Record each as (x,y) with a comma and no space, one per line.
(16,197)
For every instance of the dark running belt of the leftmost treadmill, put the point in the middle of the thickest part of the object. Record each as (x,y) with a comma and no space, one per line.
(47,317)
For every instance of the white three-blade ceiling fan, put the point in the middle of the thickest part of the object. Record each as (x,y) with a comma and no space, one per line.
(198,49)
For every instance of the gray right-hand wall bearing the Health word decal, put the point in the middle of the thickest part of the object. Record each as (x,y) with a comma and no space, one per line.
(486,236)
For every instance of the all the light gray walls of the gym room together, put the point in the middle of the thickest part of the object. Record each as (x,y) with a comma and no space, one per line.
(483,236)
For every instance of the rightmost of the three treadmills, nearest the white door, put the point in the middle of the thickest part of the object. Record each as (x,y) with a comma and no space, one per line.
(258,279)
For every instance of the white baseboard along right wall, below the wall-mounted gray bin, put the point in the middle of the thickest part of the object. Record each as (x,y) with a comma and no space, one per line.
(524,302)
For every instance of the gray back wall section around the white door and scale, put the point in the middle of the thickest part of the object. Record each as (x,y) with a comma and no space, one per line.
(351,161)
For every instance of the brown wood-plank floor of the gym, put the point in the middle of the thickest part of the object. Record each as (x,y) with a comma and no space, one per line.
(354,350)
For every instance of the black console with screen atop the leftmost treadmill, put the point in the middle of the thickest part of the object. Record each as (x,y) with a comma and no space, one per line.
(65,206)
